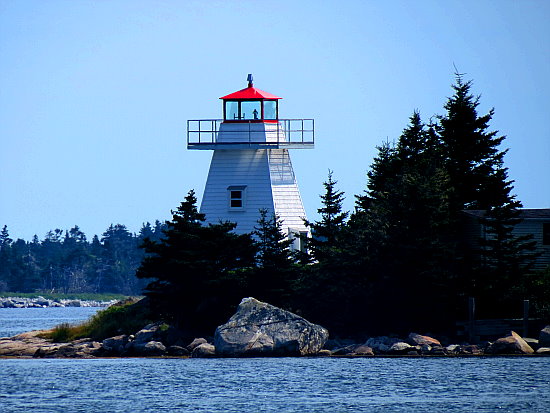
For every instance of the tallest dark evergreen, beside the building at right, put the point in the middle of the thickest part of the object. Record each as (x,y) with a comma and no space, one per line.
(478,180)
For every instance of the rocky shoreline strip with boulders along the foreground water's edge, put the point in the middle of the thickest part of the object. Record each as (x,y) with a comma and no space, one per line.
(260,329)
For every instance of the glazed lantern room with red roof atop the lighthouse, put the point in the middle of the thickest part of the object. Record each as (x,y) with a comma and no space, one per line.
(251,105)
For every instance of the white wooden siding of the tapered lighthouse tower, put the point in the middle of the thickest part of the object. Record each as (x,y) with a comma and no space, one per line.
(267,175)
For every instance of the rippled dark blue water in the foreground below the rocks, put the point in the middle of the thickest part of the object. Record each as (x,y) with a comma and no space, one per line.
(286,384)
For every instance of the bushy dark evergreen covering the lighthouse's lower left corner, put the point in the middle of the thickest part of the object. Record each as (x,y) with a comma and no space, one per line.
(197,270)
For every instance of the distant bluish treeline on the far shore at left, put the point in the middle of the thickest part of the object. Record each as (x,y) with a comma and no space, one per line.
(66,262)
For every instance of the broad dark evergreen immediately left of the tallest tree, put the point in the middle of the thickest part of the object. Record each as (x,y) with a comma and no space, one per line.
(396,227)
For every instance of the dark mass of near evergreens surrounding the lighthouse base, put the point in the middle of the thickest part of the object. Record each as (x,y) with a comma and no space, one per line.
(399,261)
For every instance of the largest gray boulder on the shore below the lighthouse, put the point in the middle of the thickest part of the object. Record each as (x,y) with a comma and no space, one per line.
(260,329)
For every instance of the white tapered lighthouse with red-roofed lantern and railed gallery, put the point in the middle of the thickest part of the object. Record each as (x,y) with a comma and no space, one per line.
(251,168)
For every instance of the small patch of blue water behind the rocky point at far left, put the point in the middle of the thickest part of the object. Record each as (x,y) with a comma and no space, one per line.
(18,320)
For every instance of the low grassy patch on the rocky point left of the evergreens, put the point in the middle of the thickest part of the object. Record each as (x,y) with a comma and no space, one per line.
(125,317)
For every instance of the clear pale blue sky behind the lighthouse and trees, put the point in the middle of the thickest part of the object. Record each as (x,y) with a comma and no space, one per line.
(94,95)
